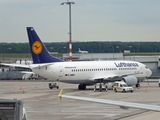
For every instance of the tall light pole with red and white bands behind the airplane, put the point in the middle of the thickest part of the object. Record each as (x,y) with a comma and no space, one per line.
(70,34)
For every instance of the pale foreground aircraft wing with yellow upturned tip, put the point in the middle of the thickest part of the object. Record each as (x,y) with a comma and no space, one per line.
(124,105)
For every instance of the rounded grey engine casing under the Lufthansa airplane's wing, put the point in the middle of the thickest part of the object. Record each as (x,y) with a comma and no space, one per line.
(130,80)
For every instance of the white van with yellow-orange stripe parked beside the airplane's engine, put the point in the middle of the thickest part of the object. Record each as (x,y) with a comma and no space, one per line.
(122,86)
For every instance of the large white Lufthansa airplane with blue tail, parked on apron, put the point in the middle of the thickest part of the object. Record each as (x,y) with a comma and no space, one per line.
(83,73)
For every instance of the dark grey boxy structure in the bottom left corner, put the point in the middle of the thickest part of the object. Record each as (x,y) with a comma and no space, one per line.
(12,110)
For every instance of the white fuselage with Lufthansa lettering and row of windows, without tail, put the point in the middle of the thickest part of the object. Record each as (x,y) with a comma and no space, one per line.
(87,71)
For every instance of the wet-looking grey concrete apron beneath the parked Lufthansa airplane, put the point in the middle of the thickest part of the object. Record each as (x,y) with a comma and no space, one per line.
(42,103)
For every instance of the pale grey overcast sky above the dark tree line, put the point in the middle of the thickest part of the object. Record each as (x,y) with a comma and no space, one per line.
(92,20)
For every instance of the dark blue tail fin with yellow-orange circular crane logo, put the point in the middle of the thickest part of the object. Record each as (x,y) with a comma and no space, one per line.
(39,52)
